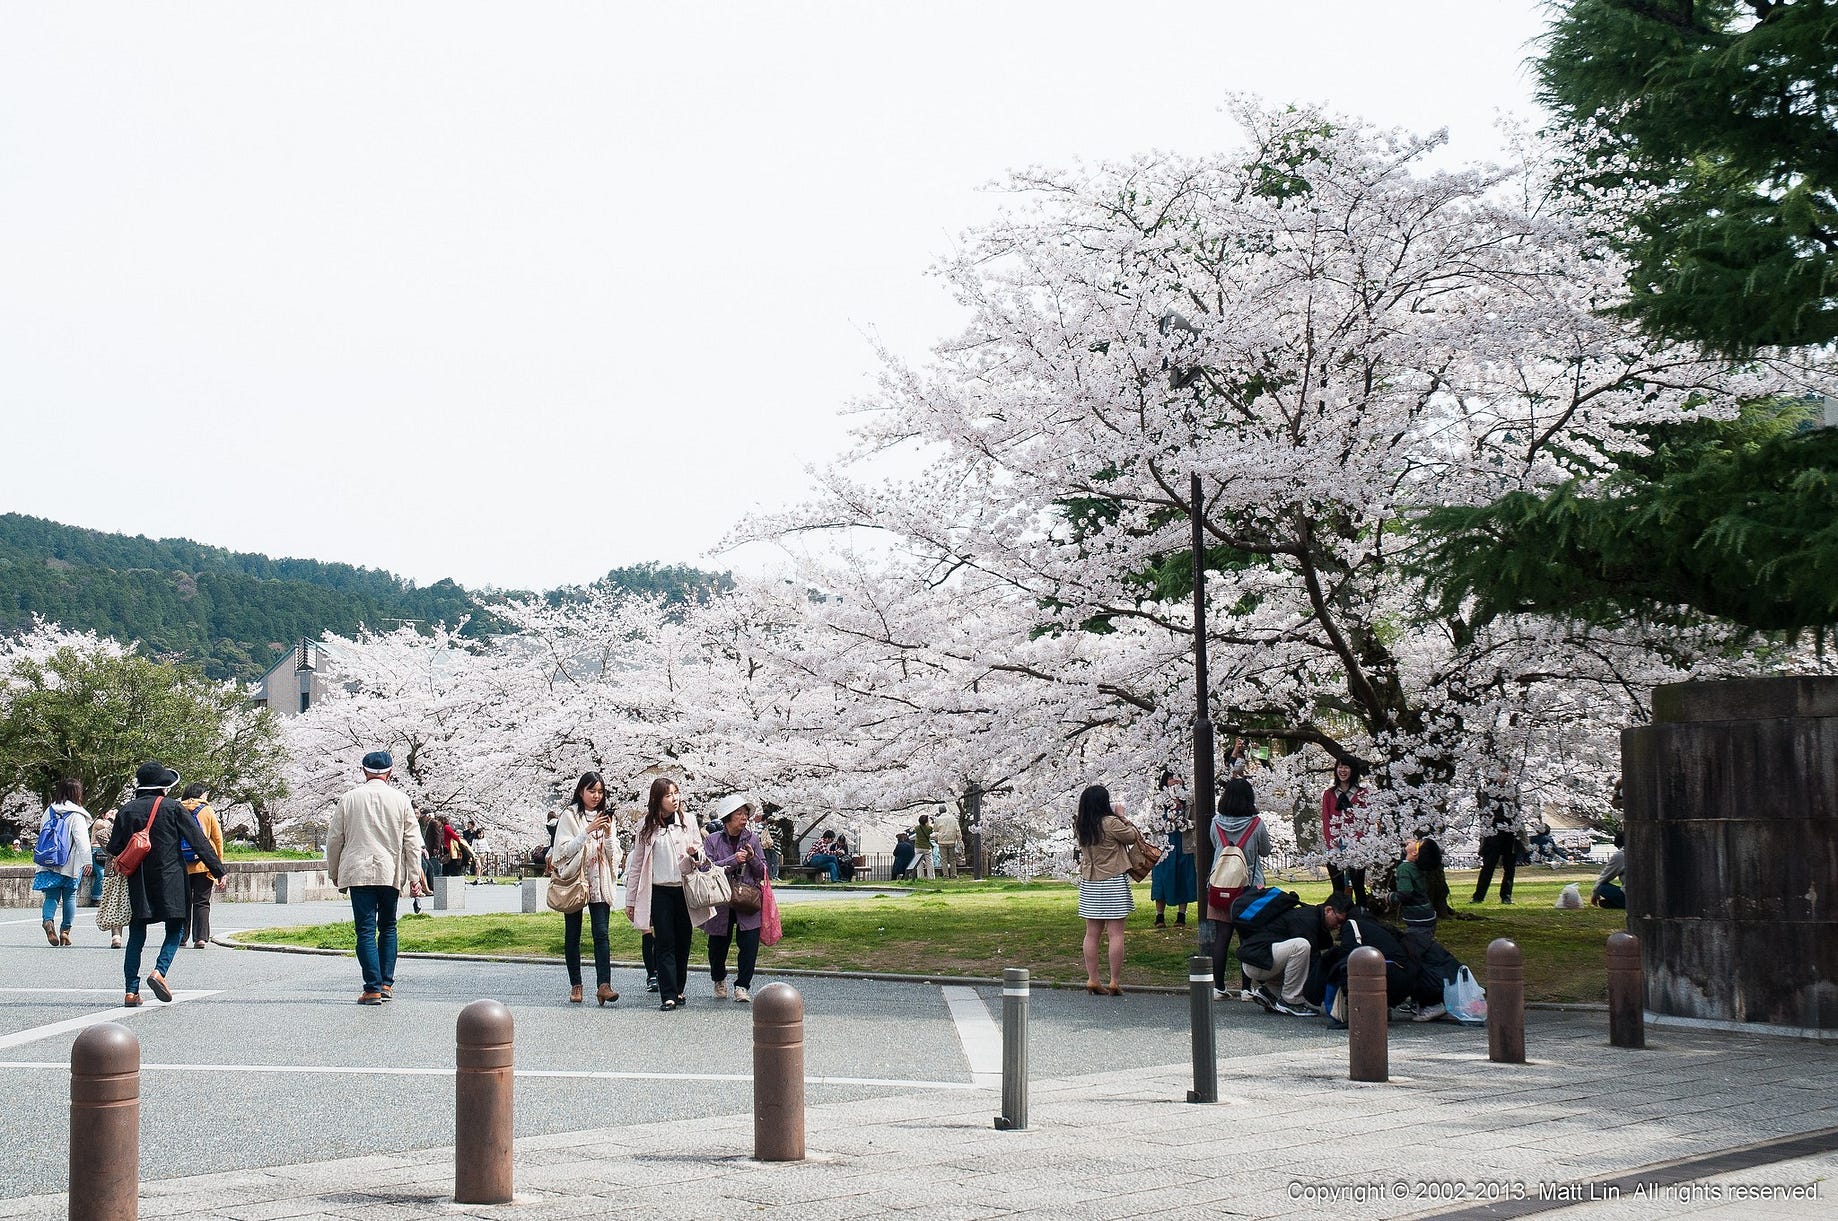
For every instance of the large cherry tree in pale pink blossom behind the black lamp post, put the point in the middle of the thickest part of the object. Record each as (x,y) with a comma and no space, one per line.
(1335,337)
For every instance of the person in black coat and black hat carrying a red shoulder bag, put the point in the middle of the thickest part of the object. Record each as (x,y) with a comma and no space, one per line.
(159,889)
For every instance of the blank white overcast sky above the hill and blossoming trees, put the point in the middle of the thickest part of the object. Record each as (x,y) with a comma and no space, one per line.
(516,293)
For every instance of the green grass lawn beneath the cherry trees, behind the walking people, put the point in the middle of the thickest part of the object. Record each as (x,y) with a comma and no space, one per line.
(962,928)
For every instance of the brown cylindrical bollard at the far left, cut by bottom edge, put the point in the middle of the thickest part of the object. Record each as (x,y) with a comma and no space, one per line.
(106,1124)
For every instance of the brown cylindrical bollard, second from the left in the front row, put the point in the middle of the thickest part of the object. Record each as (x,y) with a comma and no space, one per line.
(482,1104)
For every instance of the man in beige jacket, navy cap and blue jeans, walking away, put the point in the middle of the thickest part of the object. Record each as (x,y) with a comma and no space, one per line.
(374,852)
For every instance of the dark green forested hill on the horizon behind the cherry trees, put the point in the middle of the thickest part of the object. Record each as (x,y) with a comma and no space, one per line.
(234,613)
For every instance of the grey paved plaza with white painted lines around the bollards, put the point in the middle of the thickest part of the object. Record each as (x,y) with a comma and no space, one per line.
(266,1095)
